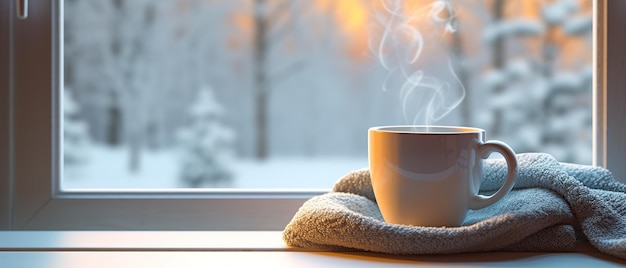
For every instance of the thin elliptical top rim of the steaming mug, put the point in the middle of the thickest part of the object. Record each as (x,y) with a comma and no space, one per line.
(426,129)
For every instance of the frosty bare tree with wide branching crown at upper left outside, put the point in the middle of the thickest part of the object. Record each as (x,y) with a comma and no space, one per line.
(136,63)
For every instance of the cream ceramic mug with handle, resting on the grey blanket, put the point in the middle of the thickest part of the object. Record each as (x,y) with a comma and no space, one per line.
(430,175)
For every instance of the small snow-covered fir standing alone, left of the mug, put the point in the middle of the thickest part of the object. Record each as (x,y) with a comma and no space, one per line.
(206,144)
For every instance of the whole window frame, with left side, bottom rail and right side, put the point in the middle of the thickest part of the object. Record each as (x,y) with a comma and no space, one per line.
(30,162)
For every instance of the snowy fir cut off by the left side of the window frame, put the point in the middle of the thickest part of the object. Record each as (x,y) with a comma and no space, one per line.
(75,136)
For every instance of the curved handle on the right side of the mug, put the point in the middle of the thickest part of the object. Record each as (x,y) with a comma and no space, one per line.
(484,150)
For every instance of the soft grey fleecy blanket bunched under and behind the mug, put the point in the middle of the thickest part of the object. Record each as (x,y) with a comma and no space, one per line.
(551,206)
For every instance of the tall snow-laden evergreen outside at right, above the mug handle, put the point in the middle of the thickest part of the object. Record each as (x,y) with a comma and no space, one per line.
(539,84)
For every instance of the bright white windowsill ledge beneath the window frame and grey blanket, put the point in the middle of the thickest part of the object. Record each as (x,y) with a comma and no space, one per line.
(241,249)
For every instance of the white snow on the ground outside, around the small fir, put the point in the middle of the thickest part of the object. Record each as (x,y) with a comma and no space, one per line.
(108,168)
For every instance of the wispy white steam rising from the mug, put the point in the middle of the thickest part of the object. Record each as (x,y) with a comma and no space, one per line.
(425,98)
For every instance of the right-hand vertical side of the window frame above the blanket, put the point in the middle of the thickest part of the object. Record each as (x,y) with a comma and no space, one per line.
(609,111)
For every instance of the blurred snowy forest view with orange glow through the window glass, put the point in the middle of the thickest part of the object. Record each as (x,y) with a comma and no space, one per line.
(280,93)
